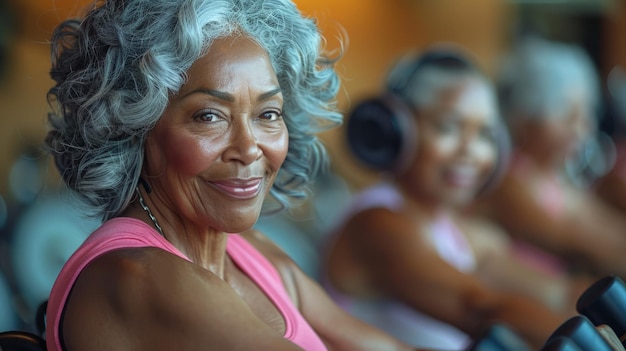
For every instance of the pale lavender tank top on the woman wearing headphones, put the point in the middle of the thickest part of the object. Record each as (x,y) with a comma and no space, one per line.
(393,316)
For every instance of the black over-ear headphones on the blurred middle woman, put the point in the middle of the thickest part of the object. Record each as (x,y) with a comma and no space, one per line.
(381,130)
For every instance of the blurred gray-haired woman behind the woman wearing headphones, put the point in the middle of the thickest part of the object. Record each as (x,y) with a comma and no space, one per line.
(550,98)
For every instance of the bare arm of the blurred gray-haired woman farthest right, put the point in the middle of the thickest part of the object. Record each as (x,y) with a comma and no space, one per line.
(584,229)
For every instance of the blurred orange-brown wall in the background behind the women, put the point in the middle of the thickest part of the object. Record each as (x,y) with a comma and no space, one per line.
(376,33)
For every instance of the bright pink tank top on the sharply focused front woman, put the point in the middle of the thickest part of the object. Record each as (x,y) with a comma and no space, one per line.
(129,232)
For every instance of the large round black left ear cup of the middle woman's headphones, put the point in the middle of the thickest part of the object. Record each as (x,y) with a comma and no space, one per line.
(381,132)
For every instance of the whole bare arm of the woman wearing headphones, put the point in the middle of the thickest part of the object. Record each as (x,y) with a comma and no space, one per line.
(405,266)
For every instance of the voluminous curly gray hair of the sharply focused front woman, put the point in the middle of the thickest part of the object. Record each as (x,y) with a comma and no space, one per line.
(116,68)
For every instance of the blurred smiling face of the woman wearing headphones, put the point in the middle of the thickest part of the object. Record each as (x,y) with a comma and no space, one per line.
(456,145)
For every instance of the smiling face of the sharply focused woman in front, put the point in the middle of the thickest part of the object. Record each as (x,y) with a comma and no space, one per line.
(214,154)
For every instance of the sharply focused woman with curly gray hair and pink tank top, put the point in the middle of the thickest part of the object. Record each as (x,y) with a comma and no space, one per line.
(175,121)
